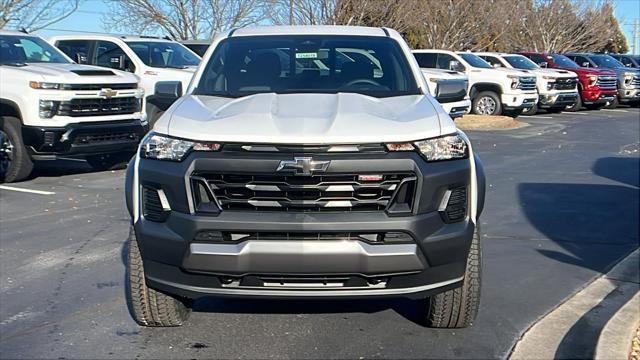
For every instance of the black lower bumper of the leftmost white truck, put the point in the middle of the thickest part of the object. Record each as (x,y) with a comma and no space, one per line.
(83,139)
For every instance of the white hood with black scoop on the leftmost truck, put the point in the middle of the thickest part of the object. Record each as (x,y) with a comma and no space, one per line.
(75,74)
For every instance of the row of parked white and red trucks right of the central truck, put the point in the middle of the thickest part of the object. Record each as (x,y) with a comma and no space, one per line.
(512,84)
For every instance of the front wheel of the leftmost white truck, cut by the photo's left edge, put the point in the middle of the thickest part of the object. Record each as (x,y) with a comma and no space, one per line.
(15,162)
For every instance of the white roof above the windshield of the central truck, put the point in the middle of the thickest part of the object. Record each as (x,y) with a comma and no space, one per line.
(310,30)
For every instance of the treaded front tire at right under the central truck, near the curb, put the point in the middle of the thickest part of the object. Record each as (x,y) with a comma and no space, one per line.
(458,307)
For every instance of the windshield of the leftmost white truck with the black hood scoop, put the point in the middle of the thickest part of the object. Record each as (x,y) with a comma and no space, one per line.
(15,49)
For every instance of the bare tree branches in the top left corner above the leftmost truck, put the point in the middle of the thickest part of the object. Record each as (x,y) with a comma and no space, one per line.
(35,14)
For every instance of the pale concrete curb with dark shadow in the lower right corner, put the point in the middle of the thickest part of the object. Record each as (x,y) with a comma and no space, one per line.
(595,322)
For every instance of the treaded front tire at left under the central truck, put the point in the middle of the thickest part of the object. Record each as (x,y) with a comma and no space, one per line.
(147,306)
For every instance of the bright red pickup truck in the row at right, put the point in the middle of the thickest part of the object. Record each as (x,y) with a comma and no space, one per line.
(597,87)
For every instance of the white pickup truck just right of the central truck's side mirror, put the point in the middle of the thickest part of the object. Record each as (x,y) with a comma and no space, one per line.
(492,91)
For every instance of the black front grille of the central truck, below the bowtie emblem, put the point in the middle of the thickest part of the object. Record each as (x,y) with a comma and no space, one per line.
(329,192)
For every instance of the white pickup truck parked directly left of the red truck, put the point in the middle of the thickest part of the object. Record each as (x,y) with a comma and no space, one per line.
(557,88)
